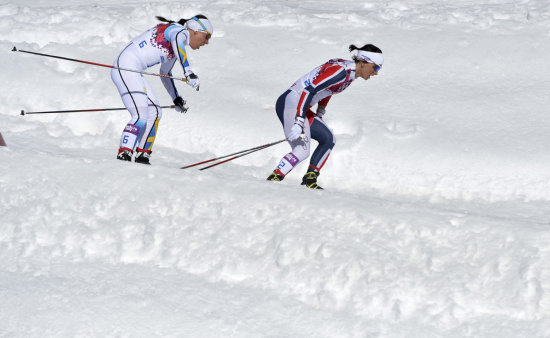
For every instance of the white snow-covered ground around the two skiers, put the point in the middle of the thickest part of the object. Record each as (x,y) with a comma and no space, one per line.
(434,221)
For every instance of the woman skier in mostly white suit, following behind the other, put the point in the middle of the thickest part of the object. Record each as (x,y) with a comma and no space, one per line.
(165,44)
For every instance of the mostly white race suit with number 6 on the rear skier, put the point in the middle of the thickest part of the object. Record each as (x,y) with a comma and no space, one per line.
(164,44)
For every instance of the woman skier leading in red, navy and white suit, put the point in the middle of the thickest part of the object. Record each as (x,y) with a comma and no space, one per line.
(301,124)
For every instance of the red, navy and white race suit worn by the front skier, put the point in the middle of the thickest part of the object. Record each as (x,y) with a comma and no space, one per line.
(315,87)
